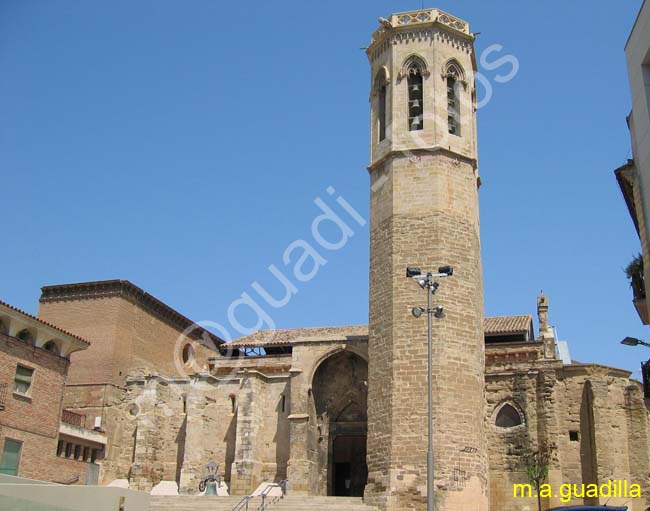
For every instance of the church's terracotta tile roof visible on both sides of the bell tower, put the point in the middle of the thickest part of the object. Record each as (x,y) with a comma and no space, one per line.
(286,337)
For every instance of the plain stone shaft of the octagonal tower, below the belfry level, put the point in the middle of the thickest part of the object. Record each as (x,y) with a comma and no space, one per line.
(433,221)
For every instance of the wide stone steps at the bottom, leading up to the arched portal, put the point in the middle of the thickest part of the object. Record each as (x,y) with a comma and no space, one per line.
(288,503)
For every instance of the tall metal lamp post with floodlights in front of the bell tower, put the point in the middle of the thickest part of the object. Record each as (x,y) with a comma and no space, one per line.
(426,281)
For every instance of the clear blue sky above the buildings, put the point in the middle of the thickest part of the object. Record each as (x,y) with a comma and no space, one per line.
(181,145)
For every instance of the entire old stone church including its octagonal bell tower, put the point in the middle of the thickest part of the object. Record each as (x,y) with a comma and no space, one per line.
(342,410)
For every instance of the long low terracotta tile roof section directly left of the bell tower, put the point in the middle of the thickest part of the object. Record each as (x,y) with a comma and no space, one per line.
(288,336)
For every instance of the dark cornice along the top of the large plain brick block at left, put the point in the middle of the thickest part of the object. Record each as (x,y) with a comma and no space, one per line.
(130,292)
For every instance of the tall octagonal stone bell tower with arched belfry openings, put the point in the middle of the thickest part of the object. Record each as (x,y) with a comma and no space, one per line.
(424,212)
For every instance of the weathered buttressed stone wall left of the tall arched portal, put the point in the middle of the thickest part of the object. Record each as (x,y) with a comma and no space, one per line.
(169,429)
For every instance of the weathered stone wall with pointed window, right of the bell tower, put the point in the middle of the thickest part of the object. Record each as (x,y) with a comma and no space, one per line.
(595,416)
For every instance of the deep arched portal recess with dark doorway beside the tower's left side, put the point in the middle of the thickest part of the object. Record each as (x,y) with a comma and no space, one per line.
(340,397)
